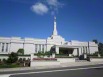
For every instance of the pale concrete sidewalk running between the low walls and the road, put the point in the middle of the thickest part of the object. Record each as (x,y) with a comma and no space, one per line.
(72,64)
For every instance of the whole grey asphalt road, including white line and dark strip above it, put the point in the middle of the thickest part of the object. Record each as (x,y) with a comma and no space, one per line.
(86,71)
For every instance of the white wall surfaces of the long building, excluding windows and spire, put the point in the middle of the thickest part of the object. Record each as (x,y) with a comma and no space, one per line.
(16,43)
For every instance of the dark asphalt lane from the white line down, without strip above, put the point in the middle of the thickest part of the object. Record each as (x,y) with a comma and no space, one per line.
(94,72)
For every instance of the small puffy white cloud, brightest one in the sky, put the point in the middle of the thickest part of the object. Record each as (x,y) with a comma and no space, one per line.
(39,8)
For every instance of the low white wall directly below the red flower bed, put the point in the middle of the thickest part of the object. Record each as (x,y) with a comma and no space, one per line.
(44,63)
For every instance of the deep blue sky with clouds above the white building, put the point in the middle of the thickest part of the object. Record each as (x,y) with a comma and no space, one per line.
(76,19)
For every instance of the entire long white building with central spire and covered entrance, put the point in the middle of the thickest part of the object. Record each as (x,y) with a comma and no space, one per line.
(53,43)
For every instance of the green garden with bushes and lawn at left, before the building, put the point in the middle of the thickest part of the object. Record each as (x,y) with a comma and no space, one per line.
(14,61)
